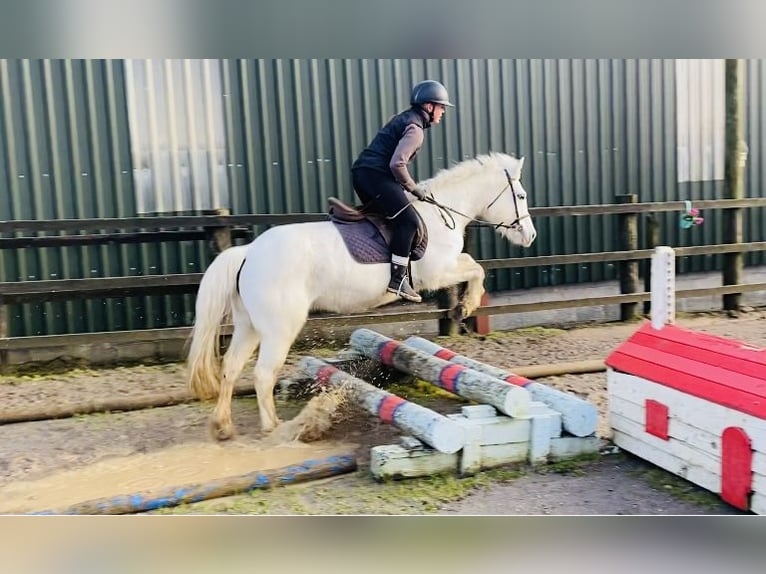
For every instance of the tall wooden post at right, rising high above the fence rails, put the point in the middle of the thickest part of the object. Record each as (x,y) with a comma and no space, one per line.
(734,167)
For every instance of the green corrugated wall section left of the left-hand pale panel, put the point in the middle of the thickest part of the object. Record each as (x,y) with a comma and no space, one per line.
(65,152)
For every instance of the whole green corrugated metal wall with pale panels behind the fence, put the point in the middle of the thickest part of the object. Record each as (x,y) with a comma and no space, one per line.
(92,138)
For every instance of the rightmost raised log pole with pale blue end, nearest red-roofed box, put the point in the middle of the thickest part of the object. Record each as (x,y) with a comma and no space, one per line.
(578,417)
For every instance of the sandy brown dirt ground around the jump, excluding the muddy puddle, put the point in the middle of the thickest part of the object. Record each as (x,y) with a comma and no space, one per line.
(617,483)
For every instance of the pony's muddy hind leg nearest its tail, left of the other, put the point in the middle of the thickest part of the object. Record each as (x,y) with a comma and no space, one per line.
(244,341)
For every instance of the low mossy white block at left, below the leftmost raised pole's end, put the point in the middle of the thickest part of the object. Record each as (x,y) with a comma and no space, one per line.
(394,462)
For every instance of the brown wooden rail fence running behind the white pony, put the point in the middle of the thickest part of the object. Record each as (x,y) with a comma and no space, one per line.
(223,229)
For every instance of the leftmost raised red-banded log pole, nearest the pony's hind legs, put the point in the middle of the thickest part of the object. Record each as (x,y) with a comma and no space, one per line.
(432,428)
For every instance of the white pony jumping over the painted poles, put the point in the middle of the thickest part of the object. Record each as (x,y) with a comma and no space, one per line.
(290,270)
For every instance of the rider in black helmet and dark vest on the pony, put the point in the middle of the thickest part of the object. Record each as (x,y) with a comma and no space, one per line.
(380,175)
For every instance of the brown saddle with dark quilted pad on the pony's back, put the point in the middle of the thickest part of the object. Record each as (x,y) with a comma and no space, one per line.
(368,235)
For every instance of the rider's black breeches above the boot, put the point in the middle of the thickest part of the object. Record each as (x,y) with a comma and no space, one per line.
(383,194)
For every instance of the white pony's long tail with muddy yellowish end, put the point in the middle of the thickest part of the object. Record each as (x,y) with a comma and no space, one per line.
(214,300)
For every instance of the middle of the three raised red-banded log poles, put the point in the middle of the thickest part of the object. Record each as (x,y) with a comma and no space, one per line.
(511,400)
